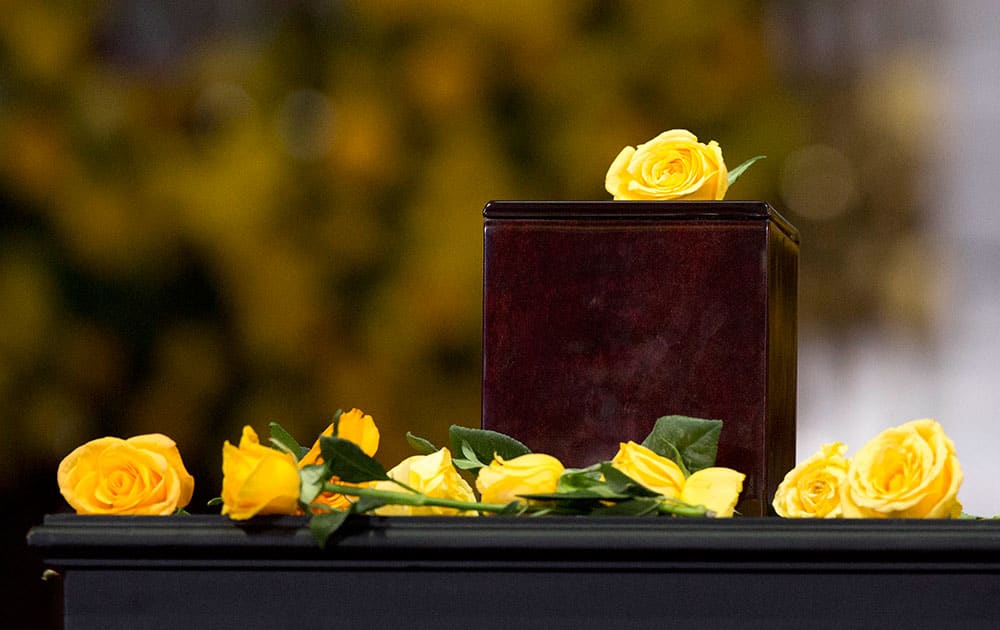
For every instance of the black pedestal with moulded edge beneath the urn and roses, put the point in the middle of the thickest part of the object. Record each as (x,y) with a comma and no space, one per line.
(548,573)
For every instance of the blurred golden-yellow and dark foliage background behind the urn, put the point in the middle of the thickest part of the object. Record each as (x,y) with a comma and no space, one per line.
(215,214)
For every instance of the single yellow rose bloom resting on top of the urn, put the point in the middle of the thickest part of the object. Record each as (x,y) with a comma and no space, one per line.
(673,165)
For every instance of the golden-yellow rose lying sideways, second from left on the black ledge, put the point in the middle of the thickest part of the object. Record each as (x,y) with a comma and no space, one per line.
(257,479)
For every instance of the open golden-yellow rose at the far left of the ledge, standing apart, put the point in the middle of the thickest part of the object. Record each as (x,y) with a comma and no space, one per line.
(141,475)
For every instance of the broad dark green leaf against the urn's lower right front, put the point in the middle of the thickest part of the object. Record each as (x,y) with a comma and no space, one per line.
(694,440)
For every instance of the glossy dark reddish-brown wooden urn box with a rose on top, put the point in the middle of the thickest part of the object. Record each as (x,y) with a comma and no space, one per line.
(600,317)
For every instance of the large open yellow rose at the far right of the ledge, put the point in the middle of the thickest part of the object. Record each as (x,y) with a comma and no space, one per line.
(909,471)
